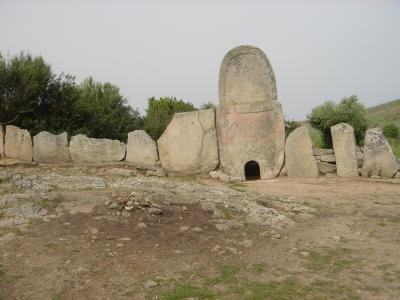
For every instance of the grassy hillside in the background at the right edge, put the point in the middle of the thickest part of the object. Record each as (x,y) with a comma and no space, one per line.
(382,114)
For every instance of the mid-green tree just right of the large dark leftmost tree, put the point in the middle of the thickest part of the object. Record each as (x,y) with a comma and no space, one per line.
(102,112)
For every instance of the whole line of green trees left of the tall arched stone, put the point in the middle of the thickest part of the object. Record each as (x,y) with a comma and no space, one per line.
(32,96)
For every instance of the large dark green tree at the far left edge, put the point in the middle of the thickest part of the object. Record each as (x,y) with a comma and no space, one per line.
(32,96)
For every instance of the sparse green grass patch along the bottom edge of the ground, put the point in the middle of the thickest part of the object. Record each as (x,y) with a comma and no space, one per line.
(232,282)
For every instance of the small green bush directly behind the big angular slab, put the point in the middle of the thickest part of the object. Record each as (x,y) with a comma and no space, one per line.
(160,112)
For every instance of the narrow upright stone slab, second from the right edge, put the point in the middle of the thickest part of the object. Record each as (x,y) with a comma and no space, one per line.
(344,145)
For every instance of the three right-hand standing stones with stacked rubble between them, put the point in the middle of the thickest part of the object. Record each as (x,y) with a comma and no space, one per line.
(377,159)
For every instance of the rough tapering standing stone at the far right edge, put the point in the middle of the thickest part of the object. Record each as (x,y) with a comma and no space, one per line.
(378,156)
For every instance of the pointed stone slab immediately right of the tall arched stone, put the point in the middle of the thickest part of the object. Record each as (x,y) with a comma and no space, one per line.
(300,161)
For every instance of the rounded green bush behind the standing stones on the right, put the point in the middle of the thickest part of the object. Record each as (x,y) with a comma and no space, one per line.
(349,110)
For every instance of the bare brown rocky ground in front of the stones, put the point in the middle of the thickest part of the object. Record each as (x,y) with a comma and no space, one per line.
(65,233)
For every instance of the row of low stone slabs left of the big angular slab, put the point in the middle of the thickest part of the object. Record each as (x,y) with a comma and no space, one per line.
(16,143)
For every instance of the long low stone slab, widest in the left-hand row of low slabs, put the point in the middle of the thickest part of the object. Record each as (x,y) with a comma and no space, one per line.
(84,149)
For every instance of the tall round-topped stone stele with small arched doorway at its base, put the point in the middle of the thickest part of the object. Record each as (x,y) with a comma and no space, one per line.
(250,123)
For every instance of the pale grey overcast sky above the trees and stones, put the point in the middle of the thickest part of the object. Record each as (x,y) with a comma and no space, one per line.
(320,50)
